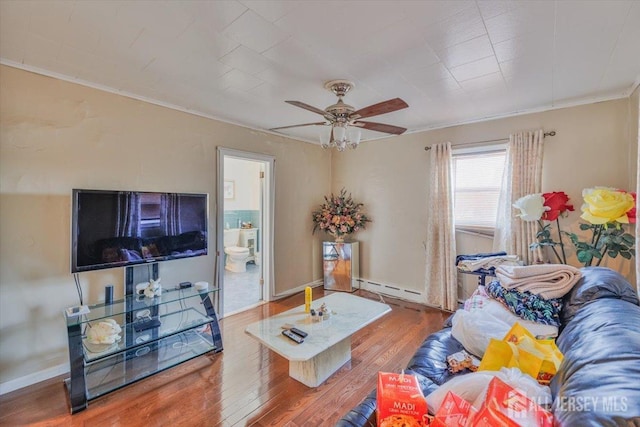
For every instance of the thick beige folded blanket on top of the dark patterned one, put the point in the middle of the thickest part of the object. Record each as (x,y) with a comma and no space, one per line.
(546,280)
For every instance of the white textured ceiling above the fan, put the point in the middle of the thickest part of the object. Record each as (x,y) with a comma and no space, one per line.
(451,61)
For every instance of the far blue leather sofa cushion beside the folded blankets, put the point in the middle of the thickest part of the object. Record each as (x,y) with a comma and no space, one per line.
(596,283)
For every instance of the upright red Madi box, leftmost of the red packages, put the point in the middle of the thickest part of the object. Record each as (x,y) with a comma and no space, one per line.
(400,401)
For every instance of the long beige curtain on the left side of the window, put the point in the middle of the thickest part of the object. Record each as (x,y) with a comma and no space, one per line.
(441,286)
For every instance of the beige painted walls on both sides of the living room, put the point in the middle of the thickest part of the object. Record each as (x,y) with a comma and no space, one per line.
(55,136)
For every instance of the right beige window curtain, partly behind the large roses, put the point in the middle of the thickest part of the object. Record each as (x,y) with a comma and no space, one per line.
(522,176)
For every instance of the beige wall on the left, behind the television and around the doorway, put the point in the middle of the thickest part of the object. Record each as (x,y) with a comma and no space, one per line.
(56,136)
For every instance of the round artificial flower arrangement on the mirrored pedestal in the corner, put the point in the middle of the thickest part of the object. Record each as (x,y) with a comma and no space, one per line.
(339,215)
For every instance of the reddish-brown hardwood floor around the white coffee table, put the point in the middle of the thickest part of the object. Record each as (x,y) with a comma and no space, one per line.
(246,384)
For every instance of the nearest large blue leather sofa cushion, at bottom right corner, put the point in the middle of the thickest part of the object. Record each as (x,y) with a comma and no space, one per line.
(598,382)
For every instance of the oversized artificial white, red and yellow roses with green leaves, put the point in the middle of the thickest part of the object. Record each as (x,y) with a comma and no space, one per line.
(606,210)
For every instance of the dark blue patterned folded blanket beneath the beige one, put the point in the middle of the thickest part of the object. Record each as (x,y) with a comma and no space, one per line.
(526,305)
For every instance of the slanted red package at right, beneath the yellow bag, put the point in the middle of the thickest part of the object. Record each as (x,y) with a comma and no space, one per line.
(507,407)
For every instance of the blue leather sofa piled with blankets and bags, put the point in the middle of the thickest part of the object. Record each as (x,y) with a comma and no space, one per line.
(598,383)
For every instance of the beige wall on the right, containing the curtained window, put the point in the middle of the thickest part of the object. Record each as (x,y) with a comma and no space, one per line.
(593,146)
